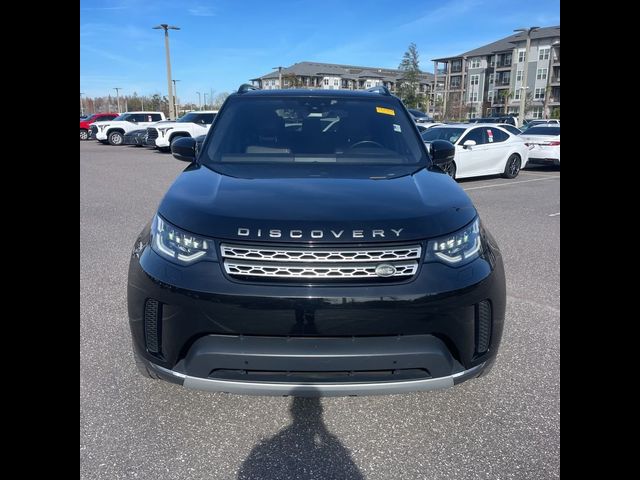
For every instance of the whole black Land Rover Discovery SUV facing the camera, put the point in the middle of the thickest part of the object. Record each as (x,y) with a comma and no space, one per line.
(313,247)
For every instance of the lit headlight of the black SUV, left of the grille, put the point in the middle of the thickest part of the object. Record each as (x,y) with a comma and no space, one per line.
(177,245)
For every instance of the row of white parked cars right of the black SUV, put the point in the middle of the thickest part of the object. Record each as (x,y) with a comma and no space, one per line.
(489,149)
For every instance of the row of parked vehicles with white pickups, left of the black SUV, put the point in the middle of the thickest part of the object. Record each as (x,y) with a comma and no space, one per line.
(149,128)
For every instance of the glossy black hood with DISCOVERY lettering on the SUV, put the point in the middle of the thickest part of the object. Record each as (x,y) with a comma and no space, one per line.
(316,210)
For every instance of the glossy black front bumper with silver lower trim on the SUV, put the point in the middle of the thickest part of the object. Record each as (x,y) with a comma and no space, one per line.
(217,334)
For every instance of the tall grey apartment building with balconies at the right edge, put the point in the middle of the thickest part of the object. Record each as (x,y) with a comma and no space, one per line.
(489,80)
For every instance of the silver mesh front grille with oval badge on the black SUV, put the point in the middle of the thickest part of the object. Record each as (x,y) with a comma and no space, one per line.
(322,264)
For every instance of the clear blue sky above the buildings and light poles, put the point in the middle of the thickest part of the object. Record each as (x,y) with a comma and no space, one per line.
(224,43)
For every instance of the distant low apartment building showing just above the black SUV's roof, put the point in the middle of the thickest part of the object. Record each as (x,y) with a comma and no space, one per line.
(333,77)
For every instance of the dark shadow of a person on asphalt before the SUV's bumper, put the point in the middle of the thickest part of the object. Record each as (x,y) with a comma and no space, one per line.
(303,450)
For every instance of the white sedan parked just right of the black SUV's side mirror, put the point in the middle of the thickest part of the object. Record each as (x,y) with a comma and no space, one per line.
(481,149)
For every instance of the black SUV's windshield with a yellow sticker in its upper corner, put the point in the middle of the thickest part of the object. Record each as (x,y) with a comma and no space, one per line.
(308,130)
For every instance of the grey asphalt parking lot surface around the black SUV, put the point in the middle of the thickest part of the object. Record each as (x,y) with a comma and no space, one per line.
(503,426)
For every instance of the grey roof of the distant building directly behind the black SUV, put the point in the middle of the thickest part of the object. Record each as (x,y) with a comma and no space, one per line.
(353,72)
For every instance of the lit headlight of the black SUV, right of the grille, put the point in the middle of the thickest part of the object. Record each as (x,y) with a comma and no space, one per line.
(457,248)
